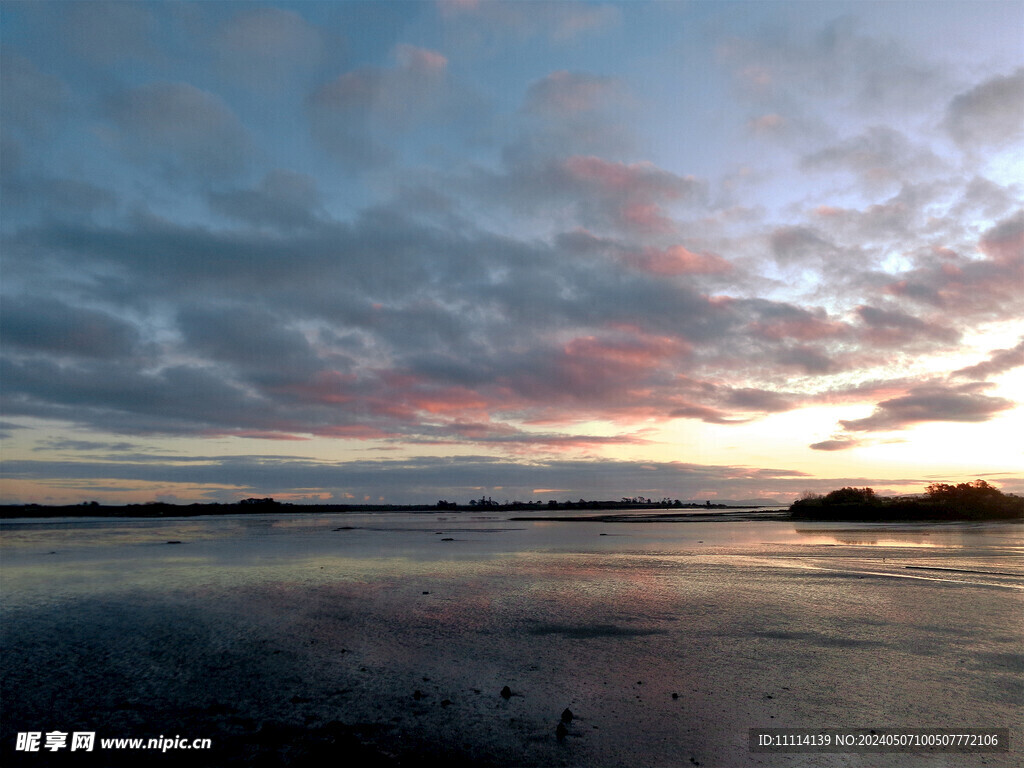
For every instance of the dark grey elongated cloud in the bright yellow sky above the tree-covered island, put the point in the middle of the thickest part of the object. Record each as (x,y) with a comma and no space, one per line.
(928,404)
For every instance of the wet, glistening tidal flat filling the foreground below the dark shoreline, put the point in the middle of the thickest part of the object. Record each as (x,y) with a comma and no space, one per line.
(388,639)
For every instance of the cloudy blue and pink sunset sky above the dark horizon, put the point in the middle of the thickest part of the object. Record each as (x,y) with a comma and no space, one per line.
(398,252)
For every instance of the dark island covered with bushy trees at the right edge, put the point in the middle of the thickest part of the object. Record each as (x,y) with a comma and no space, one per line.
(966,501)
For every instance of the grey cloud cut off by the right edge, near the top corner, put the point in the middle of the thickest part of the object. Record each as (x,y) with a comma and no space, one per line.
(990,114)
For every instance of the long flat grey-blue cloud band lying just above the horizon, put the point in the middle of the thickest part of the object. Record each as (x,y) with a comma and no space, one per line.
(425,480)
